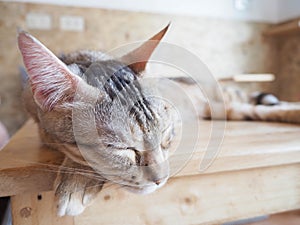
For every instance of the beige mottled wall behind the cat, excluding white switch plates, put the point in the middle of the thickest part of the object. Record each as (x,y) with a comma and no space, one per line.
(227,47)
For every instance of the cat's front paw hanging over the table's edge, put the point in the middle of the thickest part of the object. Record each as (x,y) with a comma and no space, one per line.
(75,187)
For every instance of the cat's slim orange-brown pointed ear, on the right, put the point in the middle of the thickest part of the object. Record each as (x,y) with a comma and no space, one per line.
(141,55)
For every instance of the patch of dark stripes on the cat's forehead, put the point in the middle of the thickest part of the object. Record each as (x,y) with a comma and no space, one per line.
(120,84)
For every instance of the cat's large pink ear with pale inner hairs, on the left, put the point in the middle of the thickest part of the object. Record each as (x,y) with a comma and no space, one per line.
(51,80)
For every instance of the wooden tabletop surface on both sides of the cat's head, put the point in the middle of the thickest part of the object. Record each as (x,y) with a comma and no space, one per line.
(27,166)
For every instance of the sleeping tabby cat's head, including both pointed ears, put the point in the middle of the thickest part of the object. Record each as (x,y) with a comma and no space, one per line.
(100,108)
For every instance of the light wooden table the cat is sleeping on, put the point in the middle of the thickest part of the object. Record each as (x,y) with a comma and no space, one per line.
(256,172)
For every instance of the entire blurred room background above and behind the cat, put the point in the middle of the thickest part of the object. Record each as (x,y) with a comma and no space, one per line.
(230,36)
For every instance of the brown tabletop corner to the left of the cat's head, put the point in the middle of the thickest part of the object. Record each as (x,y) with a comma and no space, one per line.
(25,165)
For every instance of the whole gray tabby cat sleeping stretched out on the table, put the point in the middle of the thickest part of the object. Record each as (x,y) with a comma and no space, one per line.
(133,131)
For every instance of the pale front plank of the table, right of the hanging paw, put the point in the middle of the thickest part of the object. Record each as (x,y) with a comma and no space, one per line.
(201,199)
